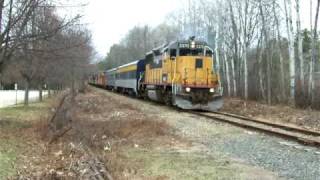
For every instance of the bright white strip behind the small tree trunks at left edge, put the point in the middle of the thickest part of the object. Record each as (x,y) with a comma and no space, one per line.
(8,98)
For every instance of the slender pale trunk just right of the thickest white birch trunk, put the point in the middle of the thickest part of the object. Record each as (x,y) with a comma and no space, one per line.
(300,50)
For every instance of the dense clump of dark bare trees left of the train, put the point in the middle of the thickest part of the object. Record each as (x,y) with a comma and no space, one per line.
(40,49)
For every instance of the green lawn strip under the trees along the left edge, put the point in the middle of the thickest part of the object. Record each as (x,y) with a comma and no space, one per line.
(14,124)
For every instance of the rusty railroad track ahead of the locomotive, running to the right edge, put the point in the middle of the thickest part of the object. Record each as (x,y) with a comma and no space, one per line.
(298,134)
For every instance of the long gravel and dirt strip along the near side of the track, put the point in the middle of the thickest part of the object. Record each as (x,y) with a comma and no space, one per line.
(286,159)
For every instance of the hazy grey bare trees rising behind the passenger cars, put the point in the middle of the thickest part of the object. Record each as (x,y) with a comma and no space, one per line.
(137,42)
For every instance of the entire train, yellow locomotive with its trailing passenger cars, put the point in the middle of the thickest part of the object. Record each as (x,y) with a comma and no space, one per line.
(182,73)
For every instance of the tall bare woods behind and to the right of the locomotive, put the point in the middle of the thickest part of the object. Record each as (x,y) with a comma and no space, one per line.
(263,52)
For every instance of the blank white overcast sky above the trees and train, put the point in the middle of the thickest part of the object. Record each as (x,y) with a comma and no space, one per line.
(110,20)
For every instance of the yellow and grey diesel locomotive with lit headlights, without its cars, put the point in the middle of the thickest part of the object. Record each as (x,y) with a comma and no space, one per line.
(182,74)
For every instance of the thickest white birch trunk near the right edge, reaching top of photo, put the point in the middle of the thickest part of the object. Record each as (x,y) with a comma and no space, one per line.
(291,49)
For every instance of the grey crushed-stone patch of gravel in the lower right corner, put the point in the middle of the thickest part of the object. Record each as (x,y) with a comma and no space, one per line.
(288,159)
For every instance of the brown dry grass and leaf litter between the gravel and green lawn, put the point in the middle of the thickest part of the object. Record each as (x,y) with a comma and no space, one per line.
(131,143)
